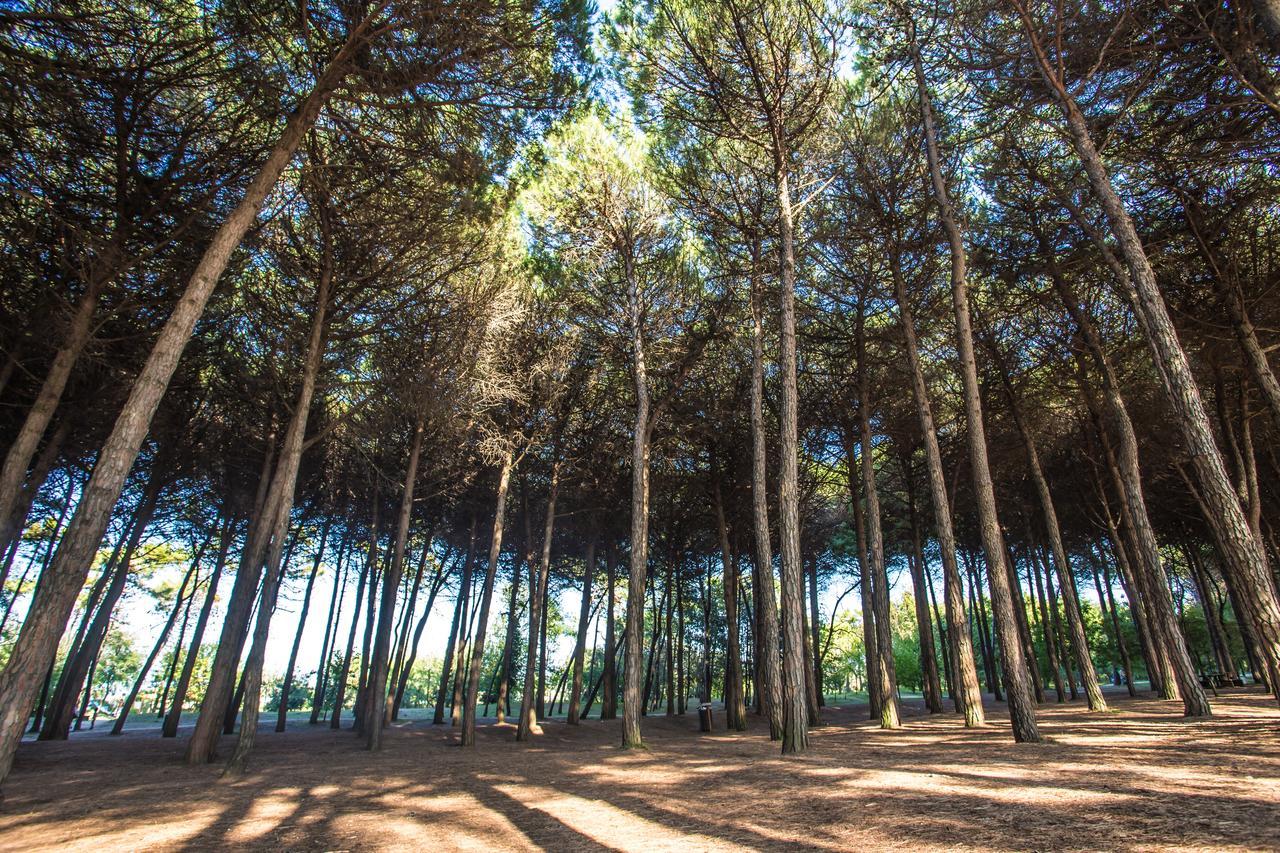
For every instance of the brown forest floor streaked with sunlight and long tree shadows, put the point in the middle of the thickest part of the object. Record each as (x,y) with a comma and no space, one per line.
(1139,778)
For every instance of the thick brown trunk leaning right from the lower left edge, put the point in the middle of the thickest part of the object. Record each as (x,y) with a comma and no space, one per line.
(38,644)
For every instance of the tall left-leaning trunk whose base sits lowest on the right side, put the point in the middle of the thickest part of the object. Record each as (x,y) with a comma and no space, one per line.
(1022,706)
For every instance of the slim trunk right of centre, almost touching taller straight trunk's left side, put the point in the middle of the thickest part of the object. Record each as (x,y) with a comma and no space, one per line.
(767,644)
